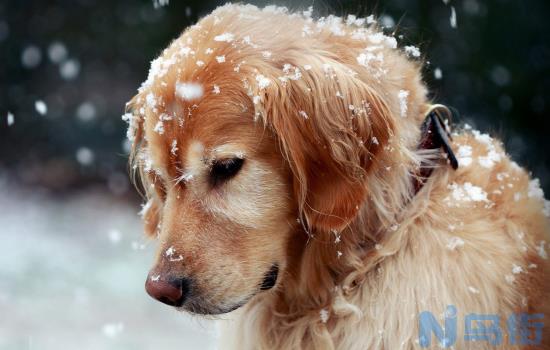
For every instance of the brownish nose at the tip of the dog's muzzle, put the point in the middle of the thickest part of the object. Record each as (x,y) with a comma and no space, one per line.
(171,291)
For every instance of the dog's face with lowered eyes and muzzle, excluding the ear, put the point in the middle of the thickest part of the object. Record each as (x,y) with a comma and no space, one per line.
(223,200)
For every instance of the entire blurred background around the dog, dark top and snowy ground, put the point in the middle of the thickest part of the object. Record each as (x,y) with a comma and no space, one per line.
(73,259)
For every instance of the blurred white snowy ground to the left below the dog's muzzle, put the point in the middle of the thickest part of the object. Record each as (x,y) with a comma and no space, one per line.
(56,246)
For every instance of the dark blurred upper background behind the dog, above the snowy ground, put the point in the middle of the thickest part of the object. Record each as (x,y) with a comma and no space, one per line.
(495,69)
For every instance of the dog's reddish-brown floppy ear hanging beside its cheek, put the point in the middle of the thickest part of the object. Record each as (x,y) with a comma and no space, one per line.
(331,124)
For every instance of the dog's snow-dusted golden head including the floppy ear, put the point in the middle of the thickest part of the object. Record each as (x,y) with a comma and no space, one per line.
(248,135)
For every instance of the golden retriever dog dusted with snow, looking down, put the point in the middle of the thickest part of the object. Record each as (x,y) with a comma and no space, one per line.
(296,170)
